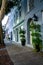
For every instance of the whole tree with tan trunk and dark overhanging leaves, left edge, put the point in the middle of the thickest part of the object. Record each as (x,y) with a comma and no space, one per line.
(5,6)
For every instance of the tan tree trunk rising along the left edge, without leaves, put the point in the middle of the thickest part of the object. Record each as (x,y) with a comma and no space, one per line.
(2,13)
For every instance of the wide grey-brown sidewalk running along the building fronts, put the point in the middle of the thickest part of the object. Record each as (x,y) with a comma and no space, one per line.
(24,55)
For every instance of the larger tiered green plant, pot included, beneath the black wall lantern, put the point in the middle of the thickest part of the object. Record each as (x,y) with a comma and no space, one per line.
(36,36)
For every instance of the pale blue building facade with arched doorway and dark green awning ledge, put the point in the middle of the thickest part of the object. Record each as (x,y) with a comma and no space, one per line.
(21,18)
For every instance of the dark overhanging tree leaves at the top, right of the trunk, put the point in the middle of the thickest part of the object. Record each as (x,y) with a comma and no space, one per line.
(12,3)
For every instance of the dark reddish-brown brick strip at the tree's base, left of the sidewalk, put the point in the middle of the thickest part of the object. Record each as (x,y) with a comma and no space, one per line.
(4,57)
